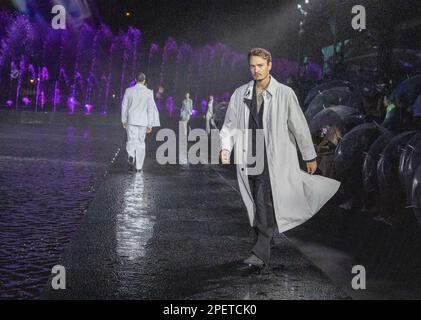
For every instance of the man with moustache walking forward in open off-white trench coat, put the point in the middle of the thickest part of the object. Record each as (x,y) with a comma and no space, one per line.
(278,195)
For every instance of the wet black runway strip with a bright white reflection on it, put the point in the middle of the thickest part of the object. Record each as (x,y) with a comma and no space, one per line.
(178,232)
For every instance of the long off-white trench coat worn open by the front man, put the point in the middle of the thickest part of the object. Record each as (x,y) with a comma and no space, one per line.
(297,195)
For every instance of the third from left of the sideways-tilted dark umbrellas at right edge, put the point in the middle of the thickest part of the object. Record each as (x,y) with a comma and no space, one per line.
(391,192)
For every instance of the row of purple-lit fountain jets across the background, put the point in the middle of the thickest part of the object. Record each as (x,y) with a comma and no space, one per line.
(96,67)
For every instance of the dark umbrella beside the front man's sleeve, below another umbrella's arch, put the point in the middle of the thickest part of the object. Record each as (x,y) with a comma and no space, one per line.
(342,117)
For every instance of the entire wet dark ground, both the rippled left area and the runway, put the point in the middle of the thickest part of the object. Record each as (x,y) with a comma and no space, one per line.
(171,232)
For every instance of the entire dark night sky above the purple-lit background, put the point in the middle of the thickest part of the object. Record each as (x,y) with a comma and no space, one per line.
(240,24)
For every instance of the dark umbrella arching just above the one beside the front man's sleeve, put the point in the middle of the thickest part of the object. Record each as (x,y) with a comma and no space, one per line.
(331,97)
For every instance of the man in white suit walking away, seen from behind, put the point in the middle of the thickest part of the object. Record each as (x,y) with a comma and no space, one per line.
(139,115)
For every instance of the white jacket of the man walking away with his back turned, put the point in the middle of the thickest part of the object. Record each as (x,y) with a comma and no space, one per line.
(139,108)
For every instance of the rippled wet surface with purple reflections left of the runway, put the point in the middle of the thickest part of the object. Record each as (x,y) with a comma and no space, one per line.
(48,175)
